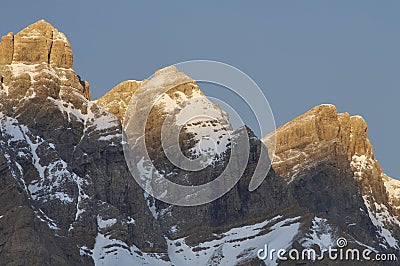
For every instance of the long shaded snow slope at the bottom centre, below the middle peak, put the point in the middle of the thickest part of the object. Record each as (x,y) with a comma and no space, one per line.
(238,245)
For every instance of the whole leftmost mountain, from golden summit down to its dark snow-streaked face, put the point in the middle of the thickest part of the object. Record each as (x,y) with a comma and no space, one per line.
(60,161)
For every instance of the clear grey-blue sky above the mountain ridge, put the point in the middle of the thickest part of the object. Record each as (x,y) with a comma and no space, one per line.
(301,53)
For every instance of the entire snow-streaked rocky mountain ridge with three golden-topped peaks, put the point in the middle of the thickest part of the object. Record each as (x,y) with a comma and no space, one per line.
(67,196)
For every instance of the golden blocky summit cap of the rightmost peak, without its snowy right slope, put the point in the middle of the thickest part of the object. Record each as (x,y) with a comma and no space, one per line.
(320,126)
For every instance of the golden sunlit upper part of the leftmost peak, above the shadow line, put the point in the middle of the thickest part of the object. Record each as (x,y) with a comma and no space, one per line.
(37,62)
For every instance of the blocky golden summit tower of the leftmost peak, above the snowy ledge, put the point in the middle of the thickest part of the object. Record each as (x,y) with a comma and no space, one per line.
(39,42)
